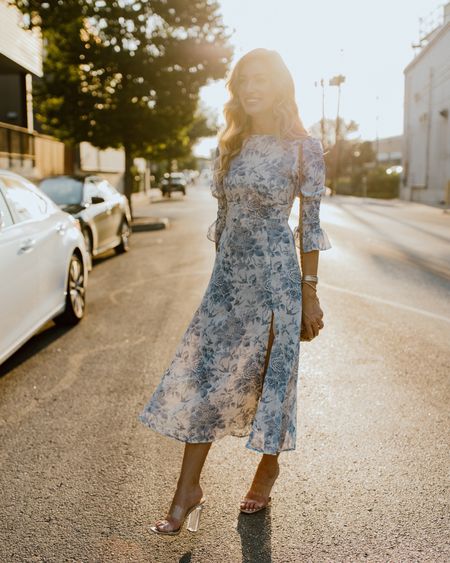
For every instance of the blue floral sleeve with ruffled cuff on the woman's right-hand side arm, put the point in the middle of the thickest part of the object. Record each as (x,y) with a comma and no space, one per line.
(311,186)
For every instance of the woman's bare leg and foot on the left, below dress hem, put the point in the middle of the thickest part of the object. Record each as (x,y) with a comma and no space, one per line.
(188,490)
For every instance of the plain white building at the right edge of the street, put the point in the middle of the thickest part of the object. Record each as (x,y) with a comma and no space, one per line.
(426,144)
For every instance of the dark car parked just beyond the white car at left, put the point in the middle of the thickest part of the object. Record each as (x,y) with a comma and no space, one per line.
(103,212)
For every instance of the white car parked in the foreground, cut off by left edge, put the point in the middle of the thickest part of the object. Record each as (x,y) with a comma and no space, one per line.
(43,263)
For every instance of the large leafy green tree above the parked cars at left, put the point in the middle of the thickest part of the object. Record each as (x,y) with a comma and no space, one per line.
(126,74)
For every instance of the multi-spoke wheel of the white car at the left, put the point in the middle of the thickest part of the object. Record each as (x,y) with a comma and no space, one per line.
(75,294)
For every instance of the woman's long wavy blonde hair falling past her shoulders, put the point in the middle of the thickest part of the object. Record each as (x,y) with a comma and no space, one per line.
(237,122)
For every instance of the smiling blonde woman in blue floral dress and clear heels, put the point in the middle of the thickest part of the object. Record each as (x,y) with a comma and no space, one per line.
(235,369)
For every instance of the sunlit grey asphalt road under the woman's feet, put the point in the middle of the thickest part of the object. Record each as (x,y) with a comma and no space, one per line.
(82,479)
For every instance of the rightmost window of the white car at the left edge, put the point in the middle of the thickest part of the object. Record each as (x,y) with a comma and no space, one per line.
(27,204)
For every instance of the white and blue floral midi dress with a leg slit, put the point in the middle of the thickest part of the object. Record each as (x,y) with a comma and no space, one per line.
(214,385)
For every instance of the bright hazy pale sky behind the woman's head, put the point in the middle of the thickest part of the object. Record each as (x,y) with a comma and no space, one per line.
(369,42)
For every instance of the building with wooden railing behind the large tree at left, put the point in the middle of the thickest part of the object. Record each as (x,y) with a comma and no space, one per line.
(23,148)
